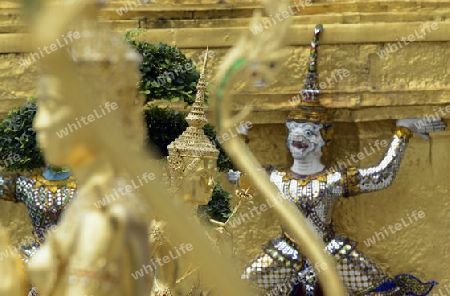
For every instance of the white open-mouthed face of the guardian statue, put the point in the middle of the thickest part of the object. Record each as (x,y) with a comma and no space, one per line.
(304,139)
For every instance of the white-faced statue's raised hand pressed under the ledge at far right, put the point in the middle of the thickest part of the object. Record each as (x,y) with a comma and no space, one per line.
(422,127)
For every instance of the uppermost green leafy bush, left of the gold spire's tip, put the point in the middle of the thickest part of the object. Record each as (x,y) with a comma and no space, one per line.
(166,72)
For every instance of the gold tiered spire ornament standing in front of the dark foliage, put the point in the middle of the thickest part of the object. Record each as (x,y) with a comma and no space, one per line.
(192,156)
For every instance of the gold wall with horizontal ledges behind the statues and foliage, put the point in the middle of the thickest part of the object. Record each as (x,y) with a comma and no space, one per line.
(411,81)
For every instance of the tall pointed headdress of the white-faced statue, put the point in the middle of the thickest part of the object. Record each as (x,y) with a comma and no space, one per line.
(309,108)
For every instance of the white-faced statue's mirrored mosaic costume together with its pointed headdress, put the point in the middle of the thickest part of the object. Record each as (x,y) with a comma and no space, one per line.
(282,269)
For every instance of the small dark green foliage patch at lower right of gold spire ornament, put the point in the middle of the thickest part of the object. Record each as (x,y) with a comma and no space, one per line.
(218,207)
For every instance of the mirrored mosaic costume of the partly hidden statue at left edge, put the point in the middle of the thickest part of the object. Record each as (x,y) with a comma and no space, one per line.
(45,201)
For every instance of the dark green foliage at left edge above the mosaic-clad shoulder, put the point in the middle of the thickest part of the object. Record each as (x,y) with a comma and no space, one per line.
(17,137)
